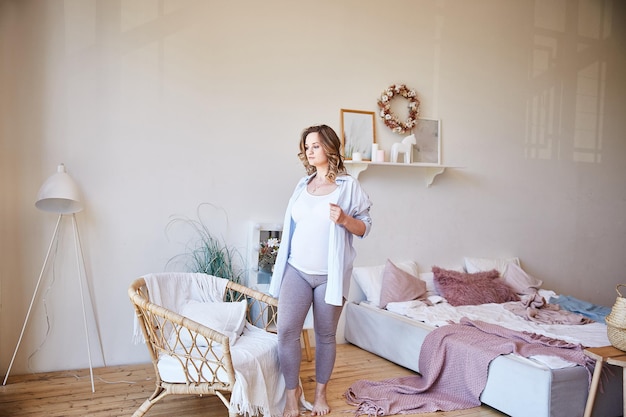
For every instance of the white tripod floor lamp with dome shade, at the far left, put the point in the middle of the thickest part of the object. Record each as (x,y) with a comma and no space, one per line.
(59,194)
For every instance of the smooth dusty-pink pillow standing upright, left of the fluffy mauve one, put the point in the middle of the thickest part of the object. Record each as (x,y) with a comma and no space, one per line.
(399,286)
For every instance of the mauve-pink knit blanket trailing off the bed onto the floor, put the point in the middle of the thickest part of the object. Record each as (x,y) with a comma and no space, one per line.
(454,363)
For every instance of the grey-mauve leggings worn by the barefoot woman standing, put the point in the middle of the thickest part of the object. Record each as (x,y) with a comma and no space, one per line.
(298,290)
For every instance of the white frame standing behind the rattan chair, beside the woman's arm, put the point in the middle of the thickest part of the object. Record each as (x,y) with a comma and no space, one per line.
(260,271)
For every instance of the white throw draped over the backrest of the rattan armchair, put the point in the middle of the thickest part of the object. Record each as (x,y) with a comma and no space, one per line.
(173,289)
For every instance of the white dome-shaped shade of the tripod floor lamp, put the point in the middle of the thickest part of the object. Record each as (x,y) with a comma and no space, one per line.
(59,194)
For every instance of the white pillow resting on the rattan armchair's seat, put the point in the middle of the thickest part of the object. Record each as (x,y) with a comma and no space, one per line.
(228,318)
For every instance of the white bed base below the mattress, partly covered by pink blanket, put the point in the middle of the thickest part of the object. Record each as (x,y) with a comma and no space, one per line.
(515,386)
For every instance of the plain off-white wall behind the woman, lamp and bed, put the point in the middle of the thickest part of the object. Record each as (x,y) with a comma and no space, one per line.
(159,106)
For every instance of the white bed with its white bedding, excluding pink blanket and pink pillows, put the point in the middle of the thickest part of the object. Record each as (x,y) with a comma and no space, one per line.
(516,386)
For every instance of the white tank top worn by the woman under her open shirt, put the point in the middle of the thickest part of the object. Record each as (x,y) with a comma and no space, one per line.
(309,243)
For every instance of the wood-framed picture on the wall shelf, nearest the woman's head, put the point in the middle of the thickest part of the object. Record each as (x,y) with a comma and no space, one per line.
(358,133)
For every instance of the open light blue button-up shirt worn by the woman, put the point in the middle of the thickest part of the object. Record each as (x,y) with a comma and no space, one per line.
(355,202)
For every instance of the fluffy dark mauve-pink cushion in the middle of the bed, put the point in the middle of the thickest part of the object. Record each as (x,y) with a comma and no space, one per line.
(461,288)
